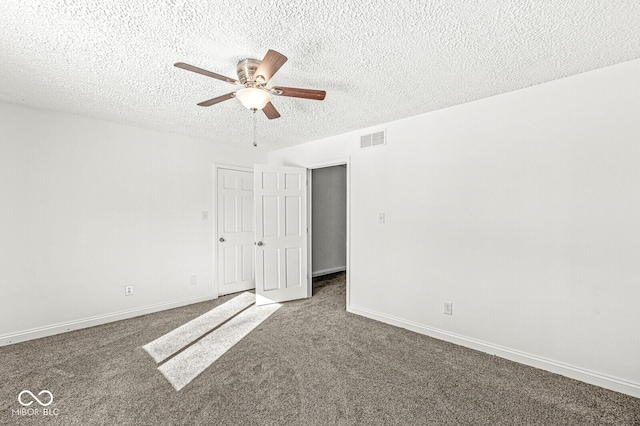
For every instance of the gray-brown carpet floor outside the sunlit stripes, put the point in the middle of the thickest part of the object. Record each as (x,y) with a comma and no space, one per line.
(309,363)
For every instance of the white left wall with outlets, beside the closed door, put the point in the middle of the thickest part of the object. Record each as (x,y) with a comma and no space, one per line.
(90,206)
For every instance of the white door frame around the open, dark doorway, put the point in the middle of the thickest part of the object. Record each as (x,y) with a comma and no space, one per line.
(346,161)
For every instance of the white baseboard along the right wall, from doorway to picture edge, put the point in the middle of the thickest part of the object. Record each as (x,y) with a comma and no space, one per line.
(570,371)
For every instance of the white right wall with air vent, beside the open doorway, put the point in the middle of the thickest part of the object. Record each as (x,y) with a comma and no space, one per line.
(522,209)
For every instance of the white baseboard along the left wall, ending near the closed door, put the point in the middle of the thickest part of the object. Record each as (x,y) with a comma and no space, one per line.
(50,330)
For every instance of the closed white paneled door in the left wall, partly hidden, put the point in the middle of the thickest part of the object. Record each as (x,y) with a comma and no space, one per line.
(235,228)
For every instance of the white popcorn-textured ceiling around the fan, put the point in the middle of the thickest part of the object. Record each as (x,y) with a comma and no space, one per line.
(378,60)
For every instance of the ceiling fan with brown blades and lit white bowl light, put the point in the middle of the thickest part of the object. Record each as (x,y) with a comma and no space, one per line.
(253,76)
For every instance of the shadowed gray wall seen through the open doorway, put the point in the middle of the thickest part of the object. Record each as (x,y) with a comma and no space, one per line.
(329,220)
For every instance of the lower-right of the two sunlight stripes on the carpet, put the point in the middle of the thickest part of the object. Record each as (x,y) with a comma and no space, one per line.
(187,365)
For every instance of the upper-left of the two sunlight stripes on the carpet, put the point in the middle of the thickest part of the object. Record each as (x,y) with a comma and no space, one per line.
(165,346)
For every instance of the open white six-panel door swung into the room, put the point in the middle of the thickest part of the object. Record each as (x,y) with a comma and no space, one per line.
(281,234)
